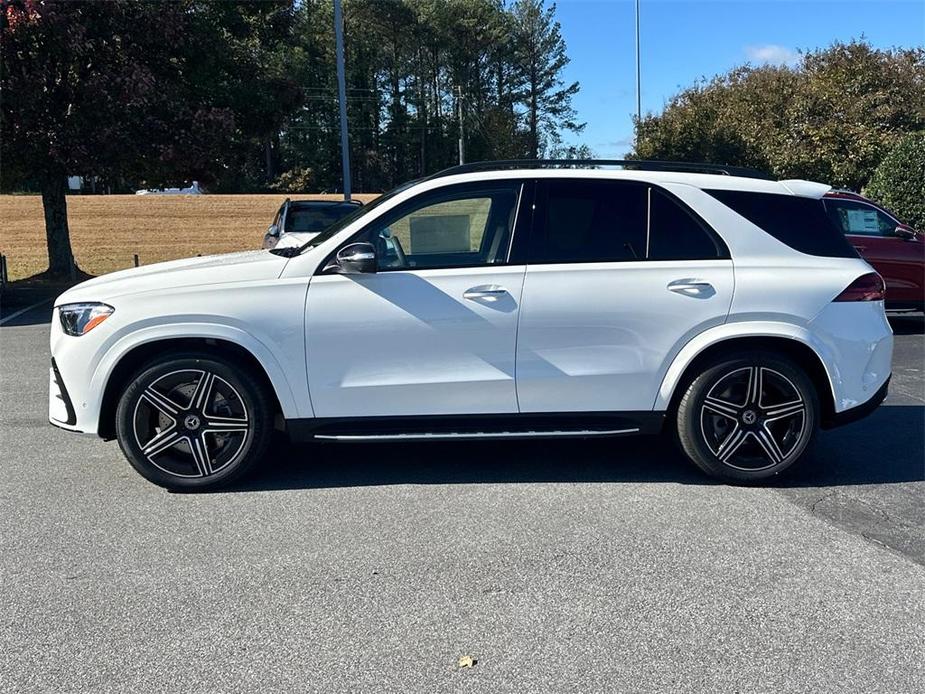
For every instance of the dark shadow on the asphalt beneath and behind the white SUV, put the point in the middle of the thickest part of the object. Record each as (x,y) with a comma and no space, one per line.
(885,448)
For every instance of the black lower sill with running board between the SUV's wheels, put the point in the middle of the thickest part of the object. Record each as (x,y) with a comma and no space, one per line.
(517,423)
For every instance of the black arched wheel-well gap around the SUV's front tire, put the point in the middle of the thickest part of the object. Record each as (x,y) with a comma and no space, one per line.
(136,357)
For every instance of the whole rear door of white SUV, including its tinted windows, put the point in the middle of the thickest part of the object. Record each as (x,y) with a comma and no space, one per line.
(620,276)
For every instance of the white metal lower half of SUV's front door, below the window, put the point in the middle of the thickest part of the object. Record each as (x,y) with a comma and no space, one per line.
(411,344)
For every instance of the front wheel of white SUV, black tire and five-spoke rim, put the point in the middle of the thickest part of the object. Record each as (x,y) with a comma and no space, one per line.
(194,422)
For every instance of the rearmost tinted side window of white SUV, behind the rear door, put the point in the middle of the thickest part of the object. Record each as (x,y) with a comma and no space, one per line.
(801,223)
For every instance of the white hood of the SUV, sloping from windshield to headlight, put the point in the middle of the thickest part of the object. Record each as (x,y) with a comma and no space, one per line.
(214,269)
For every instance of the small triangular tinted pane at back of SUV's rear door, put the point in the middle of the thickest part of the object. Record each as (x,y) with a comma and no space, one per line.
(675,234)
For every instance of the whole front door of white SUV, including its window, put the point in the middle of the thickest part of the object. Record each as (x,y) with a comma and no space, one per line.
(433,331)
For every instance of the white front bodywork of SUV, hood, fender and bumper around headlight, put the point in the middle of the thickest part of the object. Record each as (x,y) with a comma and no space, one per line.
(238,298)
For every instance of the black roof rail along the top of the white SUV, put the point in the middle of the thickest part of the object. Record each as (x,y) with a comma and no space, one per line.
(630,164)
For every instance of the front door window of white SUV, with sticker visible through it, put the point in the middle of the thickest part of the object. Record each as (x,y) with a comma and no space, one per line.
(459,226)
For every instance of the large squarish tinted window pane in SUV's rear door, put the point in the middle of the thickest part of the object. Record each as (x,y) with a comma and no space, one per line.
(590,221)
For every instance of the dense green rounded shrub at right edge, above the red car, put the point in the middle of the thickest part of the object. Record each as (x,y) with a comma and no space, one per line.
(899,181)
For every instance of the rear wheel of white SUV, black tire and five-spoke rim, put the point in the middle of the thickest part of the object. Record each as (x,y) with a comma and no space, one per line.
(731,435)
